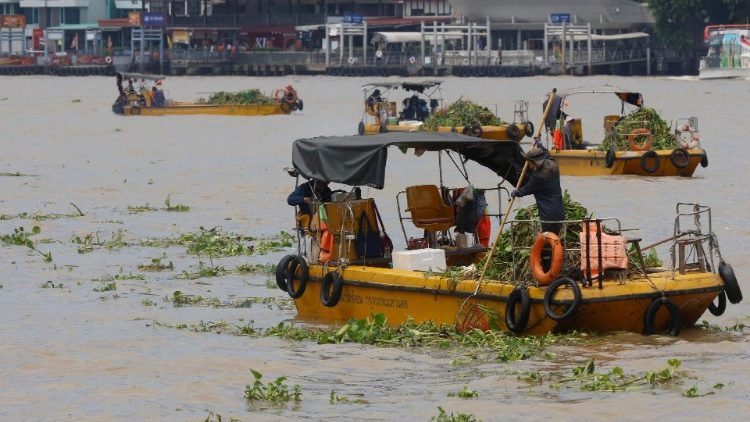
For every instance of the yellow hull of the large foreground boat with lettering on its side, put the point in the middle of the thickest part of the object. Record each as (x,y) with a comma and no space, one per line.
(402,295)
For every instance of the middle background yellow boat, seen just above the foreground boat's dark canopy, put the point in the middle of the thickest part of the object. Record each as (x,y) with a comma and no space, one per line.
(381,114)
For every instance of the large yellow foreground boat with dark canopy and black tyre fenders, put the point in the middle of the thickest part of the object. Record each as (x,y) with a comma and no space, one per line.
(356,284)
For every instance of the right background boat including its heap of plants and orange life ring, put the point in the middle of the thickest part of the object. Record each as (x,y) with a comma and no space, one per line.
(638,151)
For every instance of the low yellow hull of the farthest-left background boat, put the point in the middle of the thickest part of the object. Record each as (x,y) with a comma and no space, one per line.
(179,109)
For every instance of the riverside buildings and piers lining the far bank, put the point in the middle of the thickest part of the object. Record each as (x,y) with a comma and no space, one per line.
(425,38)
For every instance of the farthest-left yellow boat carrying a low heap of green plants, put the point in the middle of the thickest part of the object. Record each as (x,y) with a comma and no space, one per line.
(152,102)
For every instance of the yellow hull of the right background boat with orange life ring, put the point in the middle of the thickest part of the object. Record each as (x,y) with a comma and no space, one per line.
(593,163)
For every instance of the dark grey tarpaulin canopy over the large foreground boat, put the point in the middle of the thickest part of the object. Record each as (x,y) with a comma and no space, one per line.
(361,160)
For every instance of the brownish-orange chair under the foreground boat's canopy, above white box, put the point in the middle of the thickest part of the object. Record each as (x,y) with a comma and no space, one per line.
(428,211)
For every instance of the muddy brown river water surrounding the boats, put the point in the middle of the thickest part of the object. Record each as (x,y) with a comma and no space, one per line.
(73,353)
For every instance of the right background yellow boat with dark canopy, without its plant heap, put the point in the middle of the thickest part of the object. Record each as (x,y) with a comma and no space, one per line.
(575,157)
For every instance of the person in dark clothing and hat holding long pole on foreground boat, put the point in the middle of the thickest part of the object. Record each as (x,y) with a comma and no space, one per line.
(544,184)
